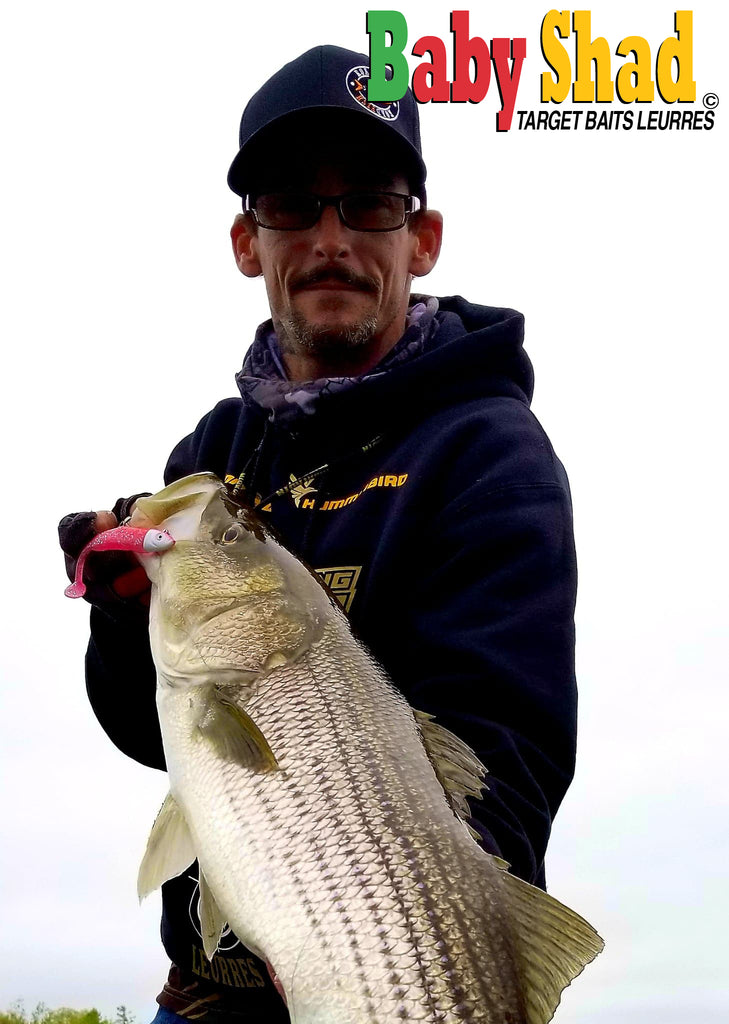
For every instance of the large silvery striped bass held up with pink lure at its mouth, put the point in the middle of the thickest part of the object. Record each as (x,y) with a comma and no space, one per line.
(326,815)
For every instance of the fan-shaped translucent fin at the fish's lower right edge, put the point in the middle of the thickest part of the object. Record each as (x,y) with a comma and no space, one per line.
(552,946)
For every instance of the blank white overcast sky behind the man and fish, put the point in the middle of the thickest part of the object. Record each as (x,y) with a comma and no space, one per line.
(126,321)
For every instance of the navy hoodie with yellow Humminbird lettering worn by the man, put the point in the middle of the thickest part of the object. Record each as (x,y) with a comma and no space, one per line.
(431,499)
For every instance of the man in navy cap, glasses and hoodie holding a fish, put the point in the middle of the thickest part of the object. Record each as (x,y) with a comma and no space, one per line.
(388,438)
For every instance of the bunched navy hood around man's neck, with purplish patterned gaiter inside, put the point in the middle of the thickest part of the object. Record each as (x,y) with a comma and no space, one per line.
(452,351)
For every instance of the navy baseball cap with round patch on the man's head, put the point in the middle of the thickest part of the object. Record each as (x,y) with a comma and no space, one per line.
(325,78)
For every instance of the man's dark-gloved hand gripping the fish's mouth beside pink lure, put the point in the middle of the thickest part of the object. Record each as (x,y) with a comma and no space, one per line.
(113,579)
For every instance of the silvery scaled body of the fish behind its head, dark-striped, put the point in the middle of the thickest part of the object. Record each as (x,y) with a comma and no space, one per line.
(347,869)
